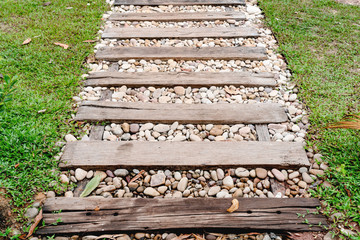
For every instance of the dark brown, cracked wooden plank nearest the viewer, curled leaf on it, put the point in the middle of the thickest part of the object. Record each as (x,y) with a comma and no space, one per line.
(91,215)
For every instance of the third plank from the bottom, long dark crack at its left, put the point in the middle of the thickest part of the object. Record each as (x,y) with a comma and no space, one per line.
(97,111)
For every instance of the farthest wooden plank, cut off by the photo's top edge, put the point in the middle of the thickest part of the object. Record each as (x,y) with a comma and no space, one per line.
(178,2)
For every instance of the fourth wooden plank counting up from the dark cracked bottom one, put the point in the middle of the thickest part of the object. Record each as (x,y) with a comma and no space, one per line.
(172,79)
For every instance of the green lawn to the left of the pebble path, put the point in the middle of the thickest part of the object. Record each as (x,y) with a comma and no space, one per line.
(48,76)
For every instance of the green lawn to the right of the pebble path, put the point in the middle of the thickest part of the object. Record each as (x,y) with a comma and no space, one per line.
(321,42)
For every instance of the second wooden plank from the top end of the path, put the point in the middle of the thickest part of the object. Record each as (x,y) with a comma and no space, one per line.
(177,17)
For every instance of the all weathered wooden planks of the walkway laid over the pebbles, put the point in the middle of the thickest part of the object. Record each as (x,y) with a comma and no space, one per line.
(97,214)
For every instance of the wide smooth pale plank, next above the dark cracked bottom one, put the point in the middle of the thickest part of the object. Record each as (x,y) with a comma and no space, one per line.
(180,155)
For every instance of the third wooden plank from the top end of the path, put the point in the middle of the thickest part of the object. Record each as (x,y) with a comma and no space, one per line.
(180,33)
